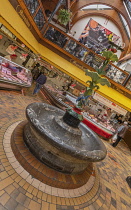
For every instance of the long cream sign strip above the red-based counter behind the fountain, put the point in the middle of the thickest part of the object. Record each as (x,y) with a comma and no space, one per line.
(109,104)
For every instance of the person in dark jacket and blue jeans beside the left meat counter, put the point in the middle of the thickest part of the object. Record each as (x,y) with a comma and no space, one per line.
(41,80)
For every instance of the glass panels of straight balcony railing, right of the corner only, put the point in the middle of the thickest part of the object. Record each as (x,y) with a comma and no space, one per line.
(82,53)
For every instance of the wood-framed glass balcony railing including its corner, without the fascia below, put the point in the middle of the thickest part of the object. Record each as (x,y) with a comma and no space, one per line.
(75,50)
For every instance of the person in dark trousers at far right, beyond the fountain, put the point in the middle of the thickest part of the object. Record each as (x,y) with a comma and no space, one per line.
(120,133)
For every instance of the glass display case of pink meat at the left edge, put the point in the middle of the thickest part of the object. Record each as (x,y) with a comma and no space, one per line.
(11,72)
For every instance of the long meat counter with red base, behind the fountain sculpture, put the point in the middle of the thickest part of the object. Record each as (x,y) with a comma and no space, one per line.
(68,100)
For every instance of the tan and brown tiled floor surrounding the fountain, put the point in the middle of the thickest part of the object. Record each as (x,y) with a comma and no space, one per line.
(110,192)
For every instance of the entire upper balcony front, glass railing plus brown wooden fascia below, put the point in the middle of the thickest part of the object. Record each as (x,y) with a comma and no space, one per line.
(84,57)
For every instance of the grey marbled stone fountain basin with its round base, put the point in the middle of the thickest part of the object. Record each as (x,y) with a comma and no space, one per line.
(58,145)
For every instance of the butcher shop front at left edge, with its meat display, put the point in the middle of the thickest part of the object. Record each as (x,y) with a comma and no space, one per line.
(14,62)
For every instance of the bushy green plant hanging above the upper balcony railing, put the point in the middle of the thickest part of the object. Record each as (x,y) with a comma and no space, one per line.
(64,16)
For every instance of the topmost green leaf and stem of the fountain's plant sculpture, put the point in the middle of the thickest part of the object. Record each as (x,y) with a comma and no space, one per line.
(110,57)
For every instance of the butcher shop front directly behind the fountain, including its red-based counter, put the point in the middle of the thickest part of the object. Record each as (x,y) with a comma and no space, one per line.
(100,114)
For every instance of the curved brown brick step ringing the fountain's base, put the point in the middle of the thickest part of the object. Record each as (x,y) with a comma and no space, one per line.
(45,174)
